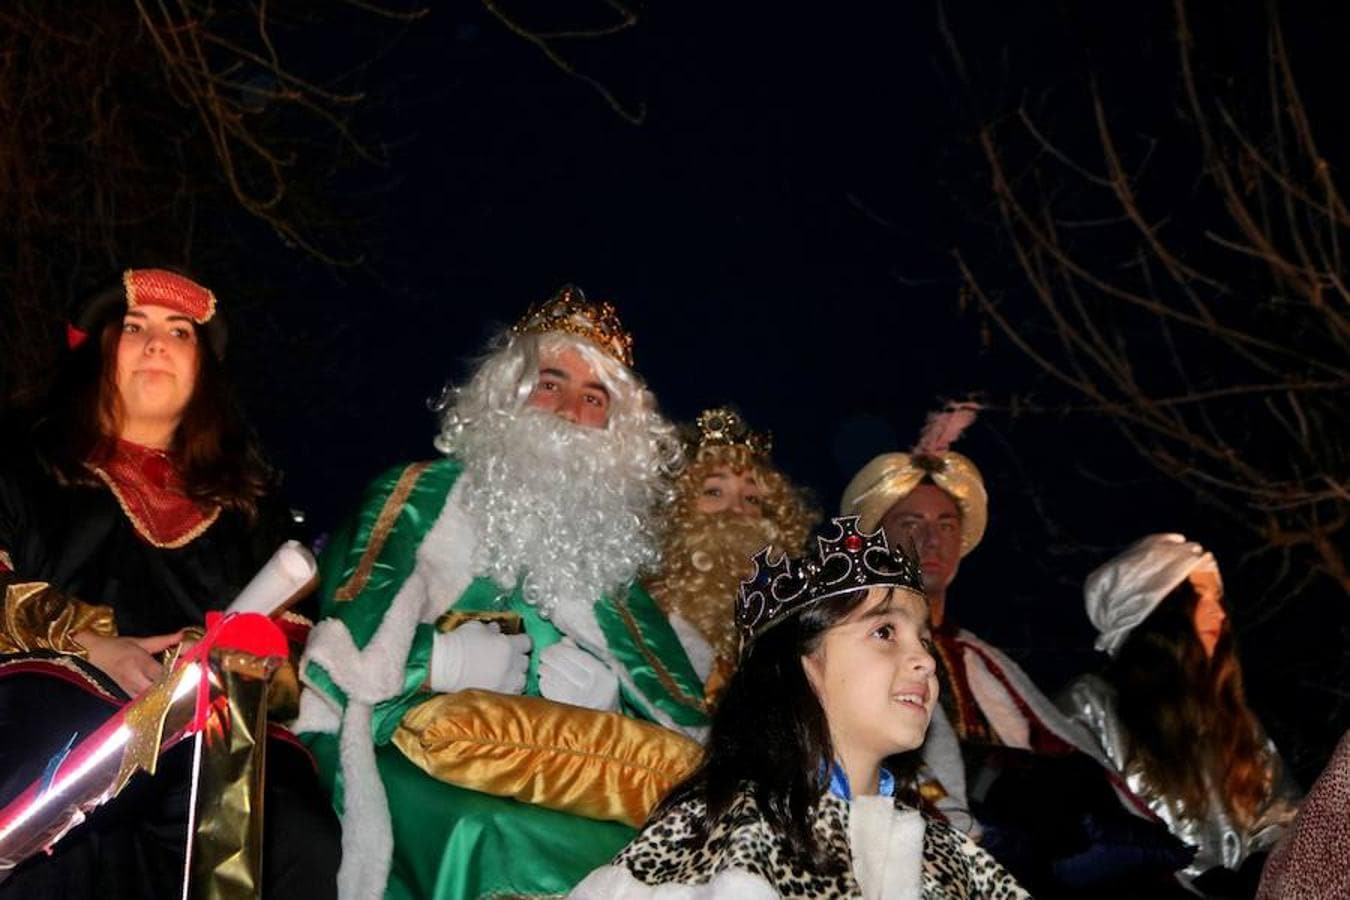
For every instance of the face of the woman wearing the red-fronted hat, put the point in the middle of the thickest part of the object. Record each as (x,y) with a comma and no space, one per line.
(157,368)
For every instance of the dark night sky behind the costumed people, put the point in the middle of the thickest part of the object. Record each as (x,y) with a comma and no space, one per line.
(777,234)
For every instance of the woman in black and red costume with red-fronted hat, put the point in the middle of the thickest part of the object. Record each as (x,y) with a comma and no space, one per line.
(134,503)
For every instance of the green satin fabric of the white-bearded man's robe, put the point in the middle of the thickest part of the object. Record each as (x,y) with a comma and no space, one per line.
(454,843)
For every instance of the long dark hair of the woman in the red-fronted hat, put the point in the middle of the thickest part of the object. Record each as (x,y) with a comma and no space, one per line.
(213,447)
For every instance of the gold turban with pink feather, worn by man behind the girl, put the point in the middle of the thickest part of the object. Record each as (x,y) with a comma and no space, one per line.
(890,478)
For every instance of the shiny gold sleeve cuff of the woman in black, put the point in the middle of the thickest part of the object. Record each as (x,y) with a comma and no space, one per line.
(37,617)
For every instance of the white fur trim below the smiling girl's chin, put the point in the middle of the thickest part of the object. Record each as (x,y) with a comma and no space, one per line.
(888,847)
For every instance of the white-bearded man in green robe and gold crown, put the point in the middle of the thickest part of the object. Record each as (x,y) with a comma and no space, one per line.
(545,508)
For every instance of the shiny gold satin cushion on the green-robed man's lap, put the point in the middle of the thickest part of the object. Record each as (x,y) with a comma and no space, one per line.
(600,766)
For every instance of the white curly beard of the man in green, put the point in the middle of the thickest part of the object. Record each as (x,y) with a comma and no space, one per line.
(568,509)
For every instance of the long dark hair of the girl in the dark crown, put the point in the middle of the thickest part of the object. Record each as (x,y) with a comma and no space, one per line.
(770,737)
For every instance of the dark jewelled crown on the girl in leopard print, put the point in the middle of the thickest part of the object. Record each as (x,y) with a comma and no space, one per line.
(842,563)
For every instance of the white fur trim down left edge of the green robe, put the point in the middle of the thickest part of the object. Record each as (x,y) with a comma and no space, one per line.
(376,674)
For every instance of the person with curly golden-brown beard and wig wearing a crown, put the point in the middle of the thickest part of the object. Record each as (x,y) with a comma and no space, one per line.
(730,504)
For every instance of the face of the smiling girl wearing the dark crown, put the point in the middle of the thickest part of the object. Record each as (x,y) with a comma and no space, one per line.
(875,677)
